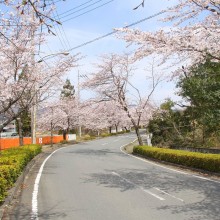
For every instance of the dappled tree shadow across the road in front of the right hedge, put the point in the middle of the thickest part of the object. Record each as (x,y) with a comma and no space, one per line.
(201,197)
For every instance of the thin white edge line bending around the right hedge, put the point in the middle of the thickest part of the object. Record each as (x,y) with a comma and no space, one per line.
(174,170)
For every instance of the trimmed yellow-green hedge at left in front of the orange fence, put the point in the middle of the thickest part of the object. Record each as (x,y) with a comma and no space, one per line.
(12,163)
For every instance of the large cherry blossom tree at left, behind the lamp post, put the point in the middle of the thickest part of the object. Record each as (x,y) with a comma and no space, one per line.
(22,78)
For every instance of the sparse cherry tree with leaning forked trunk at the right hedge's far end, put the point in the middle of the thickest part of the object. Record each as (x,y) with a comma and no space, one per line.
(112,82)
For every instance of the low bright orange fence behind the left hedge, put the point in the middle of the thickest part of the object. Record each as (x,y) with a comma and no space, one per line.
(6,143)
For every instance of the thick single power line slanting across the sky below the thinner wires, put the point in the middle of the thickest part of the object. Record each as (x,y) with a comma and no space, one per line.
(115,31)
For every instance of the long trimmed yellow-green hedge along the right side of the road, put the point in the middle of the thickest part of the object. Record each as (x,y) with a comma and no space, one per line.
(208,162)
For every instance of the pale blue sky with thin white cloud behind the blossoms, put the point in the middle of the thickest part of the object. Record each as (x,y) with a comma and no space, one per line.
(84,20)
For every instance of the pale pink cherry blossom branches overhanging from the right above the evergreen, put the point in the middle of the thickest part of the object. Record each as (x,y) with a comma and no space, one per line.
(194,37)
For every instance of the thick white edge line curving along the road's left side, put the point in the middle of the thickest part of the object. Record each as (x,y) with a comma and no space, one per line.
(34,214)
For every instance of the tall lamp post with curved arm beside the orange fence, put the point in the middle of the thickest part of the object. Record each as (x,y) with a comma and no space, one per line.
(35,100)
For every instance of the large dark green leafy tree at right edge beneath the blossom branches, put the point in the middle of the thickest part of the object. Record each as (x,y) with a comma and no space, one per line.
(201,88)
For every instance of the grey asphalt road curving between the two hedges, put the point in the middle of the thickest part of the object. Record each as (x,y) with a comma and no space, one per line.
(96,181)
